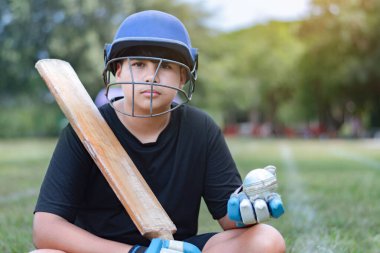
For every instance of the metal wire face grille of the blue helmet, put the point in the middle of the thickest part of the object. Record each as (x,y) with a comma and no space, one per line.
(134,84)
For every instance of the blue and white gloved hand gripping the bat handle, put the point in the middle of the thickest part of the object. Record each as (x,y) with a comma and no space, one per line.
(166,246)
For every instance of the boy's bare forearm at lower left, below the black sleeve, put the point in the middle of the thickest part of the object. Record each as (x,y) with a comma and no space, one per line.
(53,232)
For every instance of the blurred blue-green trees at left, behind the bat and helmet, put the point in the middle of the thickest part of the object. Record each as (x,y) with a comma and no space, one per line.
(72,30)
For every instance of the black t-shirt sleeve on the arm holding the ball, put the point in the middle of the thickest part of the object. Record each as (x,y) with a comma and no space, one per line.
(222,176)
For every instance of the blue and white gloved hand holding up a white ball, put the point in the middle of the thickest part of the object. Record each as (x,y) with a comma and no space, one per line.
(262,202)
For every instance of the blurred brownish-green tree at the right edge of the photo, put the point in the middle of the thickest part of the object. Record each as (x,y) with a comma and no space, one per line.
(339,74)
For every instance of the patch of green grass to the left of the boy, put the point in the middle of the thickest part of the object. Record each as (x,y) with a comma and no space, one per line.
(22,167)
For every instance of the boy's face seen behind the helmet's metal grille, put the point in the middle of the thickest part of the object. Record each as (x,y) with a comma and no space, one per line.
(146,94)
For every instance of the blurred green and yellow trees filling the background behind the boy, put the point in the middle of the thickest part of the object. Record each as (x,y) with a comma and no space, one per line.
(322,70)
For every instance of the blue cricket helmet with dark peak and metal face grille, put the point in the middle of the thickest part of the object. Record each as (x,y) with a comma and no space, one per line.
(162,37)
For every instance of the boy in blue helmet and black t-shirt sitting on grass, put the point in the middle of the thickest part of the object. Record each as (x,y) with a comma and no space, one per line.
(178,149)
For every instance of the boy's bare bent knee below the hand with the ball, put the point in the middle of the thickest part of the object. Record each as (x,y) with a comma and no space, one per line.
(258,238)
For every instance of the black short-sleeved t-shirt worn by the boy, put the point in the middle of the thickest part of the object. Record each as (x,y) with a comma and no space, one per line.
(189,160)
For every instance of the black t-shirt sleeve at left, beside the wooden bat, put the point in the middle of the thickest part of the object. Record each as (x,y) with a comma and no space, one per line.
(62,190)
